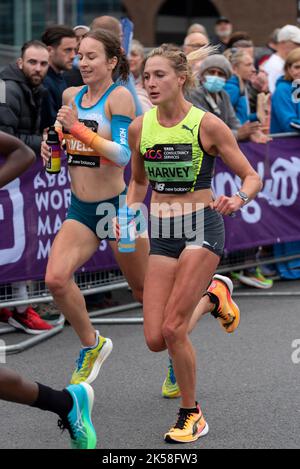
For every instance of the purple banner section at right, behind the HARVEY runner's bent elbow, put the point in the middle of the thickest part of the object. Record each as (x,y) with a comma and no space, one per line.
(274,216)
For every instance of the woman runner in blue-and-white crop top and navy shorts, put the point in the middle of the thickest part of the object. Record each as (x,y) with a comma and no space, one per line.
(95,120)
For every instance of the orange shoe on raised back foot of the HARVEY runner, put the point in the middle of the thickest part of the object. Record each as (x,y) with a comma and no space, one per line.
(226,311)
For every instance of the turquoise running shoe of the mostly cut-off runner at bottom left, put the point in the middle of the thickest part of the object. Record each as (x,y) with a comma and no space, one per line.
(78,421)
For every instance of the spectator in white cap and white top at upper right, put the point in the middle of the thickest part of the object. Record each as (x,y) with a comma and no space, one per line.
(288,39)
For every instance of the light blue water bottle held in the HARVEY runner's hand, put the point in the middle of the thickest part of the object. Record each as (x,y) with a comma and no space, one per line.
(127,229)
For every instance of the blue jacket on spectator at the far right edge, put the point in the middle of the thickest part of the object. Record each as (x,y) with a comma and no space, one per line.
(285,115)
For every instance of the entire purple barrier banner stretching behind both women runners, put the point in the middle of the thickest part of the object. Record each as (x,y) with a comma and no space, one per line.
(33,207)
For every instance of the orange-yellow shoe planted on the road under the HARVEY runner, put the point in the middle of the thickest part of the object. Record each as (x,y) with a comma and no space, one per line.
(190,426)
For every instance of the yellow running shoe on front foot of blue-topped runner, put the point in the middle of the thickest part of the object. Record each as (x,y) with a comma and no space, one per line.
(90,361)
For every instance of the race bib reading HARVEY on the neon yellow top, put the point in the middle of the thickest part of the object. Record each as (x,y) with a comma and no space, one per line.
(170,168)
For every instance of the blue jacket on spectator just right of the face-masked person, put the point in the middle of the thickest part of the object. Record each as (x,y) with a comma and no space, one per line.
(239,101)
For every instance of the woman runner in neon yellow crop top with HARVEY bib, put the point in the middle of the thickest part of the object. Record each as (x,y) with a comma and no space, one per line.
(174,147)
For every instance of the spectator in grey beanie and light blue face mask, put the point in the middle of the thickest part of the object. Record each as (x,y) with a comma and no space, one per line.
(210,95)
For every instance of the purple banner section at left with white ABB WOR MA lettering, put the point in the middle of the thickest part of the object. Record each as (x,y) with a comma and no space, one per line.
(32,211)
